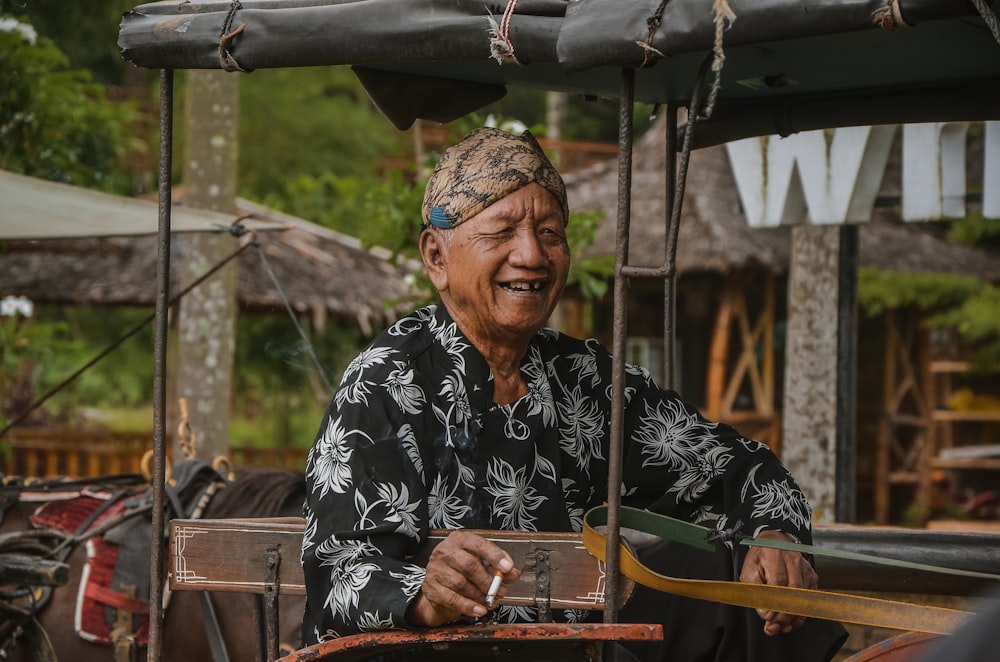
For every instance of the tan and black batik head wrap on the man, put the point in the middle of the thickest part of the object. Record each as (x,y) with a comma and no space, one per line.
(485,166)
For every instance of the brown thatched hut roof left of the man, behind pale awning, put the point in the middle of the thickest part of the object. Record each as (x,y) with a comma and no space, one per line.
(322,273)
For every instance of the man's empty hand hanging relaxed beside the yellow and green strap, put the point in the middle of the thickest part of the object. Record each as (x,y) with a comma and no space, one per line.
(765,565)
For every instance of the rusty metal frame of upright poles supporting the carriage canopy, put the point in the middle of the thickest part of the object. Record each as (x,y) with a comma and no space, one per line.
(676,176)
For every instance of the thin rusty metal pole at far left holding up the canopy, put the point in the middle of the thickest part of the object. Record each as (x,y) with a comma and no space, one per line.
(160,362)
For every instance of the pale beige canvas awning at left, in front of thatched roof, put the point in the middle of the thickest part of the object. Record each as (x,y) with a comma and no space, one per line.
(39,209)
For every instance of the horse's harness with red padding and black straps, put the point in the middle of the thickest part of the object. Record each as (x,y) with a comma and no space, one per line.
(113,607)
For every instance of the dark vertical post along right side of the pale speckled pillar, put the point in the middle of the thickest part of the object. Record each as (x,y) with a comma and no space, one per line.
(845,494)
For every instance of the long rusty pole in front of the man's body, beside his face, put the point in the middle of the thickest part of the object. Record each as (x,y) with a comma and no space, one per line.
(619,330)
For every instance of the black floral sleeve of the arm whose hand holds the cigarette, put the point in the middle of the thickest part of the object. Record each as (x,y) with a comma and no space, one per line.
(366,514)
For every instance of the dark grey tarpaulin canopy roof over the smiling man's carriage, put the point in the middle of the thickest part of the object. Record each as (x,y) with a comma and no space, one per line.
(789,65)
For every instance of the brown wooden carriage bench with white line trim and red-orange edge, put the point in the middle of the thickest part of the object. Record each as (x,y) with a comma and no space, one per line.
(557,573)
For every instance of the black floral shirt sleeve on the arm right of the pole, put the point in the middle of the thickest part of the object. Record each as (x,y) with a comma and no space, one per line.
(678,463)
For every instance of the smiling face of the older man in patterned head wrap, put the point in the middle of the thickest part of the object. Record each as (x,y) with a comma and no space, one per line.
(501,273)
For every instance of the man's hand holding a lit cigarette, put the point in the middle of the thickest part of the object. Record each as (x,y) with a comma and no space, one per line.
(459,573)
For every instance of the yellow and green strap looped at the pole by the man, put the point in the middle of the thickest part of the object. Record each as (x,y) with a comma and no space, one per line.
(811,603)
